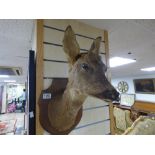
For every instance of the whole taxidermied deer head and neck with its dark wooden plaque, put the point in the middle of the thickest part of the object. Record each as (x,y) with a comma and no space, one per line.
(63,112)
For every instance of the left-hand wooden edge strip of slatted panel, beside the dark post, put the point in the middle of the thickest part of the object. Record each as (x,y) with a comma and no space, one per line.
(39,71)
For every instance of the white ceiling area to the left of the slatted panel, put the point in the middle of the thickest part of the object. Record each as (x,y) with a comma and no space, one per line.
(15,43)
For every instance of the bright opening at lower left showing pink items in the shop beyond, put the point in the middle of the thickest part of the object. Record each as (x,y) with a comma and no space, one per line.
(13,108)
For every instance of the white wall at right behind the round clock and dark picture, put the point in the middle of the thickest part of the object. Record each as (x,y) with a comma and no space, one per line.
(129,80)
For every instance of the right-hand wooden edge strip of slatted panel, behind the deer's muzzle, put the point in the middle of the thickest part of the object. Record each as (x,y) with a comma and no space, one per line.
(109,78)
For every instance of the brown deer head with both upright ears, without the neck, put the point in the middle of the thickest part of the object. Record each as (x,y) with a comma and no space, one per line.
(87,71)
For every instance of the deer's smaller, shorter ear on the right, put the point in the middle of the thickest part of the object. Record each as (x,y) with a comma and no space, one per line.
(95,47)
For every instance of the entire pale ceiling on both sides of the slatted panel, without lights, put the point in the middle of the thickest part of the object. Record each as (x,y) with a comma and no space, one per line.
(135,36)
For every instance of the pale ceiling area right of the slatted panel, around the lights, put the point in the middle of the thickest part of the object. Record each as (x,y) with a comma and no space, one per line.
(135,36)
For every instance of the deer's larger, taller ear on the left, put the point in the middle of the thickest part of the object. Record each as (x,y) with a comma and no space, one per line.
(70,45)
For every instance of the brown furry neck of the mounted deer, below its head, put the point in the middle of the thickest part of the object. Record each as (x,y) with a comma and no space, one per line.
(63,113)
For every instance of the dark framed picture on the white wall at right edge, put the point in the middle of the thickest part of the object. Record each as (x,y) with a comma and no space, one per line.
(144,86)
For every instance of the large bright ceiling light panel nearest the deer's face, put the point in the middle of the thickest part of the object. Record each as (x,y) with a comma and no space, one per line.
(118,61)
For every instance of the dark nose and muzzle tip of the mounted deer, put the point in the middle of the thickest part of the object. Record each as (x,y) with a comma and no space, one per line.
(112,95)
